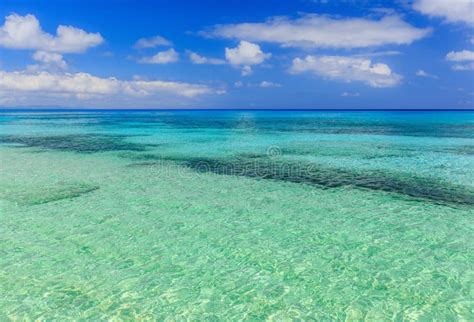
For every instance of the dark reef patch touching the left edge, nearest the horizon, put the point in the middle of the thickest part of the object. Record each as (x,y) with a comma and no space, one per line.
(89,143)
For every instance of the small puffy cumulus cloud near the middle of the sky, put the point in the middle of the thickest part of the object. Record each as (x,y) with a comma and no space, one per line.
(245,55)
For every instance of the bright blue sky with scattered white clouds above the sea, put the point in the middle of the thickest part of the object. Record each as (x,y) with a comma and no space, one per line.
(272,54)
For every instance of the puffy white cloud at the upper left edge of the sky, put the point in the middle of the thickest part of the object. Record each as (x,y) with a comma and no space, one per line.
(24,32)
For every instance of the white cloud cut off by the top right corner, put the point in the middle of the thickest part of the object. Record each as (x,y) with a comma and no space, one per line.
(451,11)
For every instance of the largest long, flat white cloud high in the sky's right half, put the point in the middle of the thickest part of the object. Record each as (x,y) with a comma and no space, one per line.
(326,32)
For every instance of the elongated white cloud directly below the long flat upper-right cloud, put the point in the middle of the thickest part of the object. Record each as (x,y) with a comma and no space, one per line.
(347,69)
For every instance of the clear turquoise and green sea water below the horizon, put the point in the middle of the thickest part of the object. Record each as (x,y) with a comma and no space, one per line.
(213,215)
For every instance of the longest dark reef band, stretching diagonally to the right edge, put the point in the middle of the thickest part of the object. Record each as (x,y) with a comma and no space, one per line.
(416,187)
